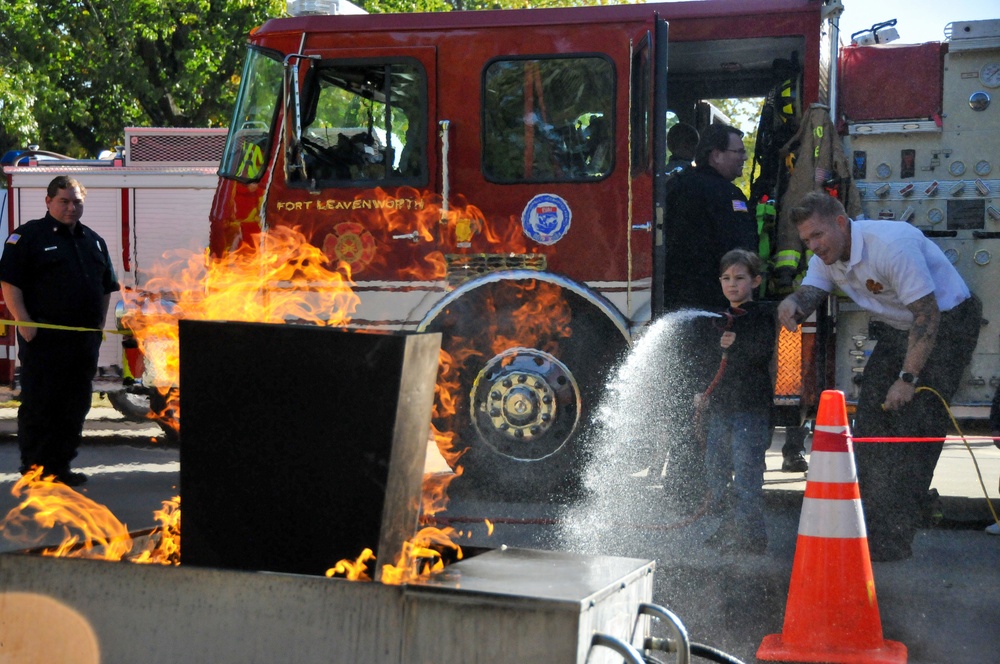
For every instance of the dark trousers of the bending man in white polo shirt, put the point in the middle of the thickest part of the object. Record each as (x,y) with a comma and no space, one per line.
(894,477)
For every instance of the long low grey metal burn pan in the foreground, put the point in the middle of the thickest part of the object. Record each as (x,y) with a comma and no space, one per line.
(502,606)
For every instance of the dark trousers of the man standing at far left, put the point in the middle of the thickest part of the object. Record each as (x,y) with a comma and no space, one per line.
(57,370)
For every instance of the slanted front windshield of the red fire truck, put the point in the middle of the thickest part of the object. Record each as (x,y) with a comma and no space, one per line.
(249,140)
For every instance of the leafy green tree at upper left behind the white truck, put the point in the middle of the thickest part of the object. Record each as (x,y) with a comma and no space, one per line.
(74,73)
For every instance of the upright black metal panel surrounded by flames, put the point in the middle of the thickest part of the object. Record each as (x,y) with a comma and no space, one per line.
(300,445)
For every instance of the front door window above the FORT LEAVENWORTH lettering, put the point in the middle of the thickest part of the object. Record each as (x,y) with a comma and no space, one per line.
(365,124)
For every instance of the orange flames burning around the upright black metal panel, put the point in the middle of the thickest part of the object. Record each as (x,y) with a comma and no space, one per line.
(279,276)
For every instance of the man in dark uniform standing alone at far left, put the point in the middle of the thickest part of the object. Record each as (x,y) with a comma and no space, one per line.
(57,271)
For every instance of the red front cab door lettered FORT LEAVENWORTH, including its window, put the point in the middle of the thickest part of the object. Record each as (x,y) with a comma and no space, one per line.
(368,147)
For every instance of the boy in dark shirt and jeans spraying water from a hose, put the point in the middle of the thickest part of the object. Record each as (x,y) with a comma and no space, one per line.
(738,405)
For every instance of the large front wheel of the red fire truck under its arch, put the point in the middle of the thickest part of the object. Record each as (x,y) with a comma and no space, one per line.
(525,358)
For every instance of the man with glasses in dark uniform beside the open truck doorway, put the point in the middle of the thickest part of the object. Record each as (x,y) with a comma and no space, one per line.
(706,216)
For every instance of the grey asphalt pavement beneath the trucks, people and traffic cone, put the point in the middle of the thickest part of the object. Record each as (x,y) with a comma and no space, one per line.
(941,603)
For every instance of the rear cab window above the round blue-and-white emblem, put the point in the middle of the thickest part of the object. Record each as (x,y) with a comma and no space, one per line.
(548,119)
